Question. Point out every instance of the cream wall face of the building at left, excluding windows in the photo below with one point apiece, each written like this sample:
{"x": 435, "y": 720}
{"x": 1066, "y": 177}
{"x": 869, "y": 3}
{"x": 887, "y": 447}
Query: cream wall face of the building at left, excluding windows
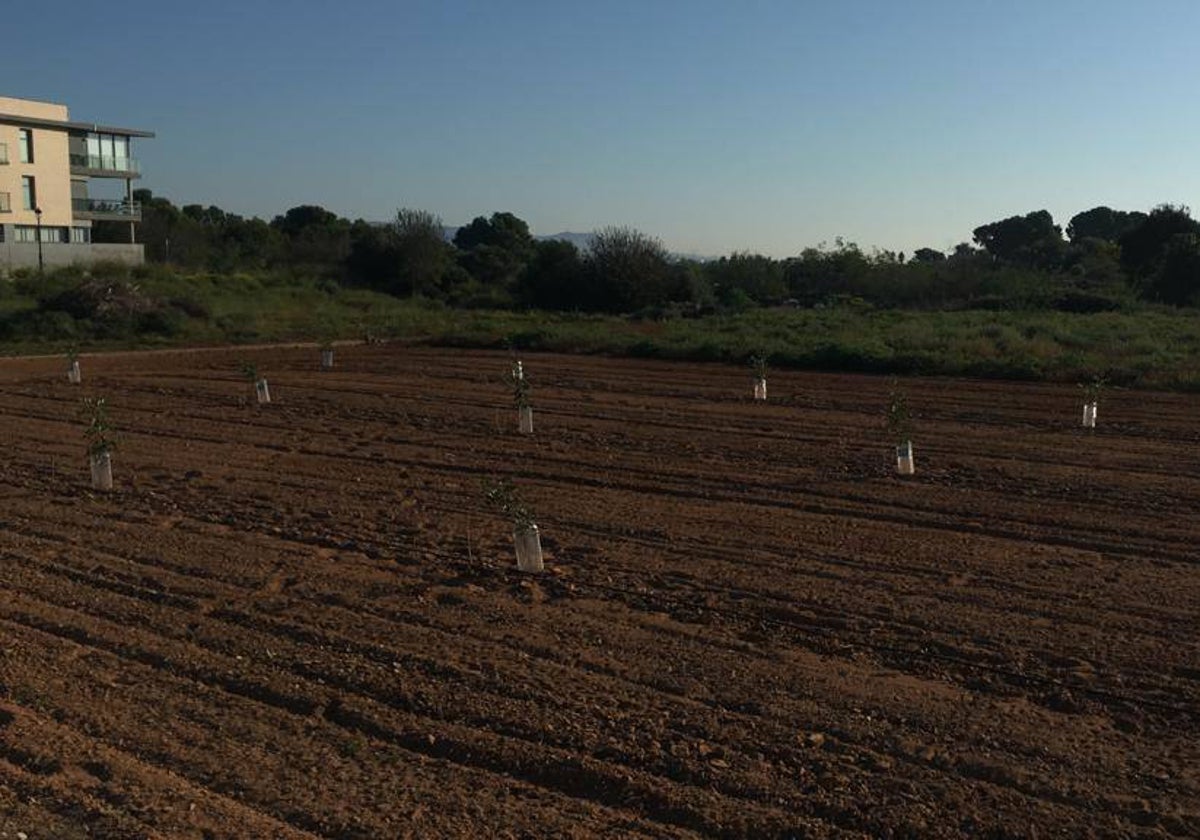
{"x": 51, "y": 167}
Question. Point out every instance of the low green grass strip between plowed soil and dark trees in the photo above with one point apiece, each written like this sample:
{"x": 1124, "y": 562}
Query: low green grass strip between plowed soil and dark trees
{"x": 115, "y": 308}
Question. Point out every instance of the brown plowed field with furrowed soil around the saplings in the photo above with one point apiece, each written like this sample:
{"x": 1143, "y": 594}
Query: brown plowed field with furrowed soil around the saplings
{"x": 301, "y": 620}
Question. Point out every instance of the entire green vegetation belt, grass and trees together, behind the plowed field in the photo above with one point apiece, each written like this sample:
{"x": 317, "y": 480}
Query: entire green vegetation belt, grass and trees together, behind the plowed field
{"x": 1120, "y": 293}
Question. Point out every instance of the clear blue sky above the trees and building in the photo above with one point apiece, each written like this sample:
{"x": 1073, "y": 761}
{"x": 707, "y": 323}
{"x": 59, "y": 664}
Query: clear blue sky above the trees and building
{"x": 716, "y": 127}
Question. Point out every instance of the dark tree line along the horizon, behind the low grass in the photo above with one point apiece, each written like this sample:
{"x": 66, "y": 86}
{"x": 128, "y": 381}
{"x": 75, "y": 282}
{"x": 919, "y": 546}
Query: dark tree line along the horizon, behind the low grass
{"x": 1106, "y": 260}
